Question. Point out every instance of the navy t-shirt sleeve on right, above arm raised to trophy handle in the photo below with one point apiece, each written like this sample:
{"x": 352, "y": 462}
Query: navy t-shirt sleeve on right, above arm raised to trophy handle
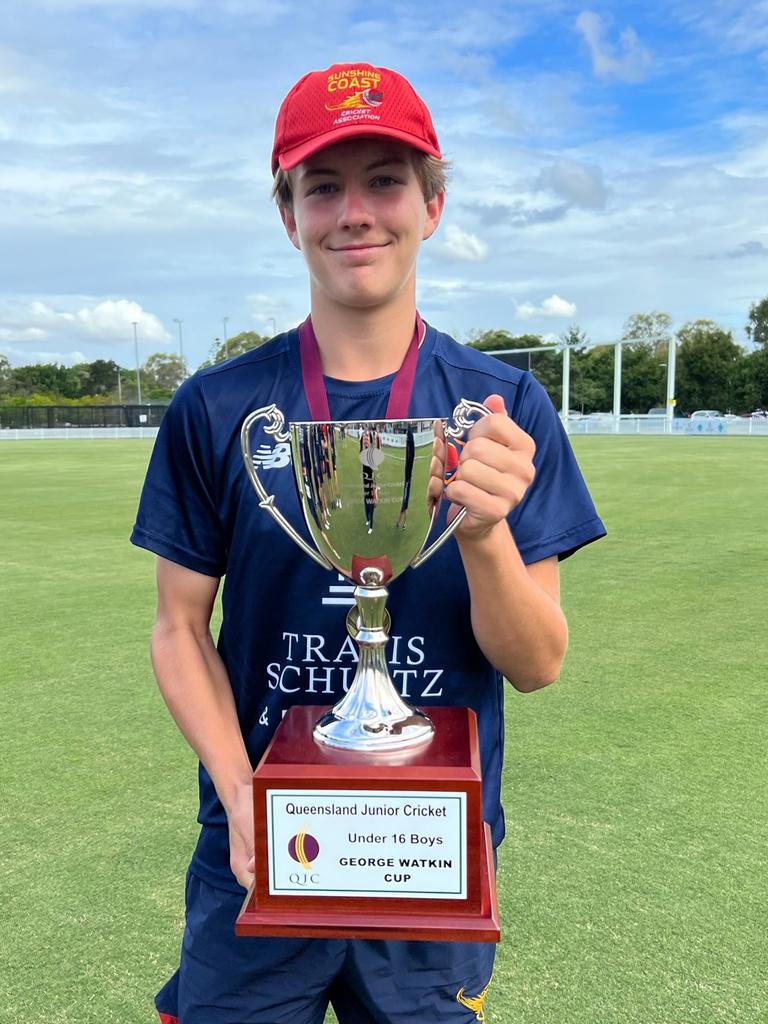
{"x": 558, "y": 516}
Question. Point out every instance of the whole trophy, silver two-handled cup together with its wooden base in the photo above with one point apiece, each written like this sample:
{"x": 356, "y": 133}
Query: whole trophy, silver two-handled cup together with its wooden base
{"x": 368, "y": 816}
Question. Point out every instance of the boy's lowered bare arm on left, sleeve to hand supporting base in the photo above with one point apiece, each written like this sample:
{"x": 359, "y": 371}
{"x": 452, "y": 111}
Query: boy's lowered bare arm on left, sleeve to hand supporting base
{"x": 196, "y": 688}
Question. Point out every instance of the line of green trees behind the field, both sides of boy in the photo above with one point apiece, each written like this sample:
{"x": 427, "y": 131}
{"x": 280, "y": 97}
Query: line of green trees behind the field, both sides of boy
{"x": 713, "y": 370}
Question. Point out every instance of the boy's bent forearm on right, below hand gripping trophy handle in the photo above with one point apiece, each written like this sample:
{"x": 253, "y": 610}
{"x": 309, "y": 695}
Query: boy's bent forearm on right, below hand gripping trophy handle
{"x": 519, "y": 626}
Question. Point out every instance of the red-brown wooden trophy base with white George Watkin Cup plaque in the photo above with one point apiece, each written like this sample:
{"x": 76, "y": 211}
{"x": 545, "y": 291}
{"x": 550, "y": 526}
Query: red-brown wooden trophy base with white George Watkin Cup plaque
{"x": 379, "y": 846}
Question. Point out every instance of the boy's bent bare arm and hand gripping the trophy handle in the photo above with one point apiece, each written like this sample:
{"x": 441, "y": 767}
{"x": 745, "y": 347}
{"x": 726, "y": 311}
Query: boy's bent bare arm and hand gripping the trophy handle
{"x": 517, "y": 616}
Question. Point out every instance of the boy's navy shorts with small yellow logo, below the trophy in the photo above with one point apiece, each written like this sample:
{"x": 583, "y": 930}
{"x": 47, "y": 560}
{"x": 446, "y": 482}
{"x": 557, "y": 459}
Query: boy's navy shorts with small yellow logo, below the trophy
{"x": 224, "y": 979}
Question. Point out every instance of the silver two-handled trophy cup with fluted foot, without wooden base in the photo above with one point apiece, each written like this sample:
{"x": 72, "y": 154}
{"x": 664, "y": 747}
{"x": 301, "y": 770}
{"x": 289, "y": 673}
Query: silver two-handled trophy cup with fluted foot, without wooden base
{"x": 364, "y": 489}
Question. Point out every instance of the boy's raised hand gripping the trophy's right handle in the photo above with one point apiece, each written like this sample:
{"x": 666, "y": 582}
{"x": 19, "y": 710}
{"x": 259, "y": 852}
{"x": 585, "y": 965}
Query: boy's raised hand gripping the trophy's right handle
{"x": 495, "y": 471}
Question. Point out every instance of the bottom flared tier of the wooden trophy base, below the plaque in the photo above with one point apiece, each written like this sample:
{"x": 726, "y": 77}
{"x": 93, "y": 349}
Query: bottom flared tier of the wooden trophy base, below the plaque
{"x": 322, "y": 922}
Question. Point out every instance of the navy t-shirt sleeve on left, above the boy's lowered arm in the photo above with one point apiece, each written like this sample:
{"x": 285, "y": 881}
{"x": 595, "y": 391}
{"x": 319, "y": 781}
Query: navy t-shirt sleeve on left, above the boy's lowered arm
{"x": 178, "y": 516}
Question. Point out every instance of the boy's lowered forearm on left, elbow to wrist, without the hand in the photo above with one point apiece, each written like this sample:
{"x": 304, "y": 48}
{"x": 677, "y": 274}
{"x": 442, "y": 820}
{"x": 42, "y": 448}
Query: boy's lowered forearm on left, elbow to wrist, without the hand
{"x": 196, "y": 688}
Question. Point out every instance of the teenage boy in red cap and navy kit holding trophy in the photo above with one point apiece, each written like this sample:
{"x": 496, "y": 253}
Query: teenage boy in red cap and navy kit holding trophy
{"x": 360, "y": 185}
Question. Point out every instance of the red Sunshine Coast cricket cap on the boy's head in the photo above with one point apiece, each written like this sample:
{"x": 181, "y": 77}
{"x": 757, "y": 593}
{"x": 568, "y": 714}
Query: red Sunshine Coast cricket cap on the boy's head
{"x": 350, "y": 101}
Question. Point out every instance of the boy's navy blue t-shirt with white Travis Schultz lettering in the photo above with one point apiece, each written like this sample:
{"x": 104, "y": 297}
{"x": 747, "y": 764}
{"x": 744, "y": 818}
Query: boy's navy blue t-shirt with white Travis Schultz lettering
{"x": 284, "y": 638}
